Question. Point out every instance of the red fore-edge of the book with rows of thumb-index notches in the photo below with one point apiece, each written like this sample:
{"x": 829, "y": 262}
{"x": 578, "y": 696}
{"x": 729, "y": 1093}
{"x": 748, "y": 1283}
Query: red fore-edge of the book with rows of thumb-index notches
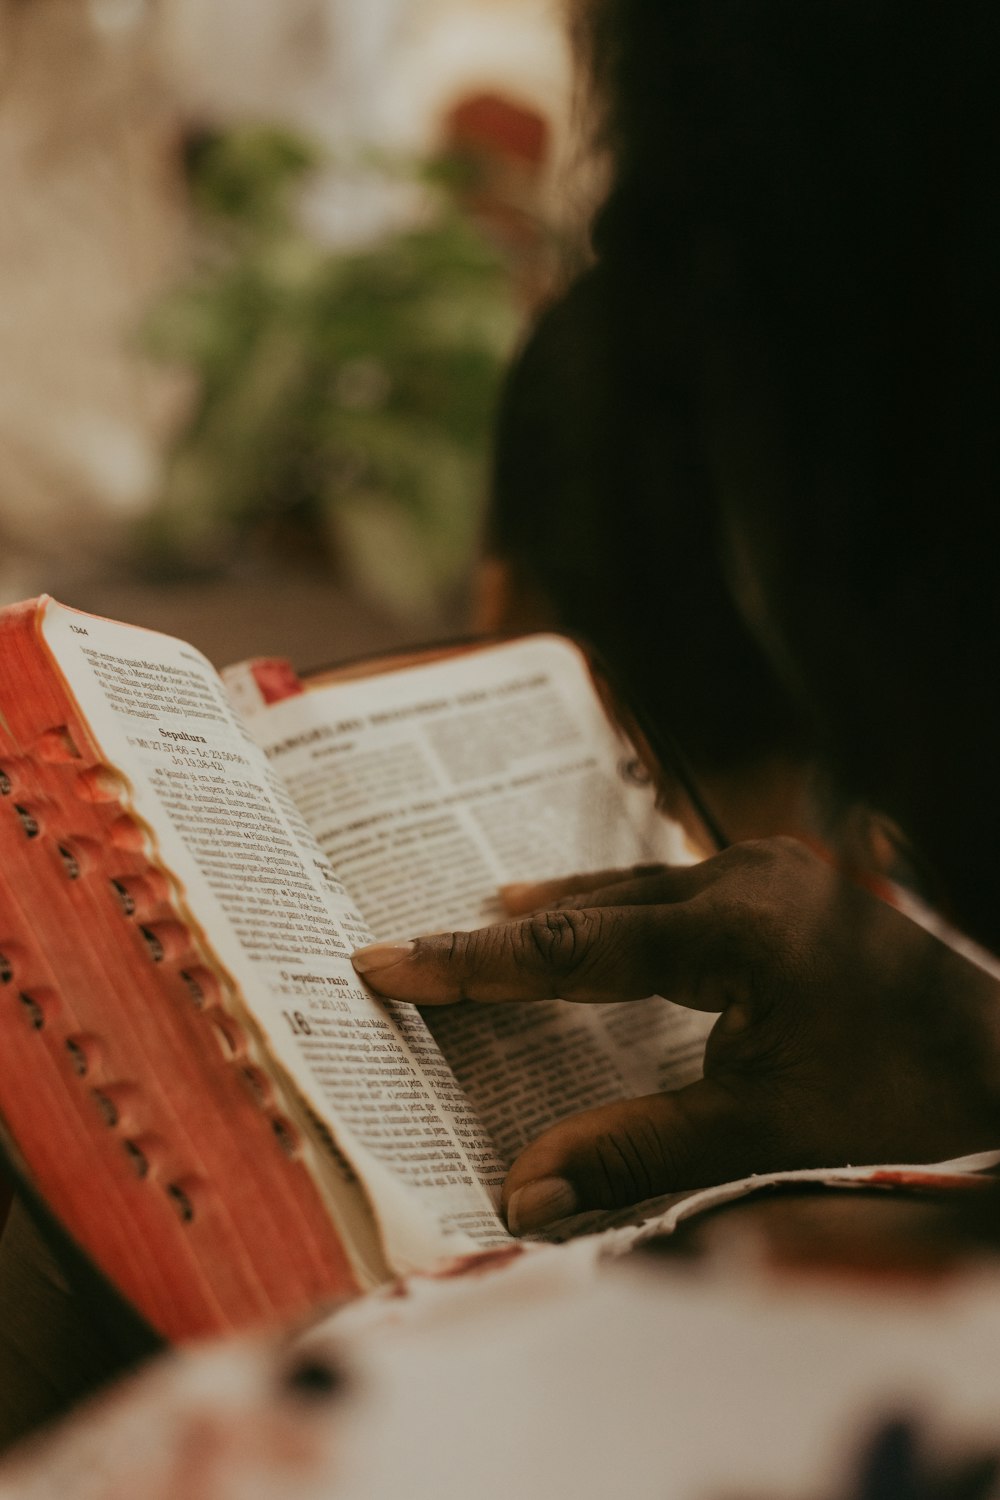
{"x": 127, "y": 1085}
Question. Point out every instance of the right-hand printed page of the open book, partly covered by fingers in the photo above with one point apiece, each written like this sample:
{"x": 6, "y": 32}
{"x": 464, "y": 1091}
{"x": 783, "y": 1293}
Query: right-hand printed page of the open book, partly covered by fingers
{"x": 431, "y": 787}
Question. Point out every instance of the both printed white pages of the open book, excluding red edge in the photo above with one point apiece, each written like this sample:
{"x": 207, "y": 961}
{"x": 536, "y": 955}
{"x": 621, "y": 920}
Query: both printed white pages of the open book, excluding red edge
{"x": 286, "y": 833}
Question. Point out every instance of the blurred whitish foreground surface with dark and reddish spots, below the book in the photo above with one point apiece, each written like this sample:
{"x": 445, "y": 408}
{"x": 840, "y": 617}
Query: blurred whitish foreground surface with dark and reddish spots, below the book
{"x": 747, "y": 1379}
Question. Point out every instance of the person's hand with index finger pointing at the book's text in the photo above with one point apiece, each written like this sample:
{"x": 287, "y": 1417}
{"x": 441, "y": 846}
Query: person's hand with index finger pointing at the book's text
{"x": 848, "y": 1034}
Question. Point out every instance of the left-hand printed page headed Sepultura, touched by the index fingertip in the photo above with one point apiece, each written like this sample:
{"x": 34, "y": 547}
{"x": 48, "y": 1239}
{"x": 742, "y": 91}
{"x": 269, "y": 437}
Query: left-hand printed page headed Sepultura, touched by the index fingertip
{"x": 274, "y": 916}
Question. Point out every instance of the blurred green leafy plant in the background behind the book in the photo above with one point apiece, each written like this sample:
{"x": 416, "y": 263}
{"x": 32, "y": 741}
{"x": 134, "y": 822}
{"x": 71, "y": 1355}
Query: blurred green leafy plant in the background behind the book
{"x": 344, "y": 398}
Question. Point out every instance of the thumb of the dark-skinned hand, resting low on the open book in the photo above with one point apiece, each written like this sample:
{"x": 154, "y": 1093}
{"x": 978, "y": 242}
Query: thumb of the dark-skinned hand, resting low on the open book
{"x": 638, "y": 1150}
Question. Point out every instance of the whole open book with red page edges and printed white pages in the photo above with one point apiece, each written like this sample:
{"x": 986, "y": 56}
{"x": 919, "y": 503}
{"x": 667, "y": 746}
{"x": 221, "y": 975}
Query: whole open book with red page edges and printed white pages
{"x": 193, "y": 1076}
